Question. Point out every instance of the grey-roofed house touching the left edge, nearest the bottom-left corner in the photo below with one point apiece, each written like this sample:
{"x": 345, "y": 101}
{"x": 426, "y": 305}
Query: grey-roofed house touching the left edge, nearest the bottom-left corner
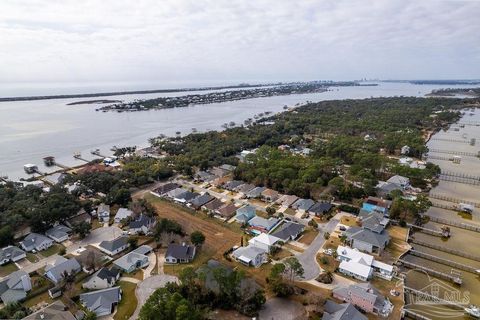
{"x": 15, "y": 286}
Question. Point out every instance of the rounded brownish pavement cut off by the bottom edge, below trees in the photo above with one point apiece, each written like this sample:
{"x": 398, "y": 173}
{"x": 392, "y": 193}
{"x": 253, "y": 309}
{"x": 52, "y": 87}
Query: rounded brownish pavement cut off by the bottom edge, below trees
{"x": 282, "y": 309}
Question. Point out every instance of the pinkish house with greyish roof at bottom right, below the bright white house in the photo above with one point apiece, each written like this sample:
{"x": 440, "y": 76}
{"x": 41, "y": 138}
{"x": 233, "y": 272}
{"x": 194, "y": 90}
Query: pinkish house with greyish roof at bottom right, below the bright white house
{"x": 365, "y": 297}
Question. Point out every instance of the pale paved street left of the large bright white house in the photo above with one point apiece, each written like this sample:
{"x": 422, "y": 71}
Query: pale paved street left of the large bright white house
{"x": 308, "y": 257}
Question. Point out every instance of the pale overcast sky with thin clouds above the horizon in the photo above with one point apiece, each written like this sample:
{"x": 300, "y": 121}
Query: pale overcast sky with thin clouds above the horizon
{"x": 229, "y": 40}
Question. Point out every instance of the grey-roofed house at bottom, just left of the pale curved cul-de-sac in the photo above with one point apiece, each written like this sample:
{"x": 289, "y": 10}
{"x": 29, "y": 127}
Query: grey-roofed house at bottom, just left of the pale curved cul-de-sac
{"x": 102, "y": 302}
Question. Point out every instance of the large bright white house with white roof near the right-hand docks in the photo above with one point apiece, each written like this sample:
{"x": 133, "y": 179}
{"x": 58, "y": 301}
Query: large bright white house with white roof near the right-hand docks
{"x": 361, "y": 265}
